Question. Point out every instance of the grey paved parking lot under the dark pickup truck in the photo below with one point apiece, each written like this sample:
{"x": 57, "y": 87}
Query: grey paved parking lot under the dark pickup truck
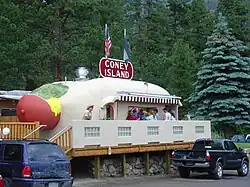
{"x": 230, "y": 180}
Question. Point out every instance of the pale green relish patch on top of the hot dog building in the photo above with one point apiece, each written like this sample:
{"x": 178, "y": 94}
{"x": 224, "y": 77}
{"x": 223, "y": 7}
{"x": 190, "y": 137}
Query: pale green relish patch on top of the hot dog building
{"x": 48, "y": 91}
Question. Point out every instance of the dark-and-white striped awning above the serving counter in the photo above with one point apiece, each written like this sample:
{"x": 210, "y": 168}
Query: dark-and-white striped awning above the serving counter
{"x": 149, "y": 98}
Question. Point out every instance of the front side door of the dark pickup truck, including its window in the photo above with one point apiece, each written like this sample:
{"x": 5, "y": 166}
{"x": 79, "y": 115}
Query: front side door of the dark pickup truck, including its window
{"x": 232, "y": 156}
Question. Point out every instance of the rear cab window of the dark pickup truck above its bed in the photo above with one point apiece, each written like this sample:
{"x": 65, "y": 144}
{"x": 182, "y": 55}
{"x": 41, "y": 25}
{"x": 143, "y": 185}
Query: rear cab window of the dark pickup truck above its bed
{"x": 208, "y": 144}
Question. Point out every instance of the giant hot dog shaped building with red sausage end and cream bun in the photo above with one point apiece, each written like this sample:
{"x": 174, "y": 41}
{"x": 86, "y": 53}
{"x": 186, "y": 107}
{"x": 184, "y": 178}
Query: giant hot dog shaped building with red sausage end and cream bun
{"x": 56, "y": 104}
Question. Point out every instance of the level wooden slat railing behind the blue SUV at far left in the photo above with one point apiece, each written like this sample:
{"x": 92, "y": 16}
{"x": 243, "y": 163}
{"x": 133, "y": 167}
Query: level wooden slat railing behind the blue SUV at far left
{"x": 19, "y": 130}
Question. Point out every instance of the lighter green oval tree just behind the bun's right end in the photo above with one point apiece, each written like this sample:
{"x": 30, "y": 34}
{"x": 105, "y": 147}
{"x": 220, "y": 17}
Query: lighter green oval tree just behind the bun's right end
{"x": 181, "y": 71}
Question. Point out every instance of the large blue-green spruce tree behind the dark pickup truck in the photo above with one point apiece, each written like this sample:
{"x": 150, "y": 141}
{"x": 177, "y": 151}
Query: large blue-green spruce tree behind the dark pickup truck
{"x": 222, "y": 87}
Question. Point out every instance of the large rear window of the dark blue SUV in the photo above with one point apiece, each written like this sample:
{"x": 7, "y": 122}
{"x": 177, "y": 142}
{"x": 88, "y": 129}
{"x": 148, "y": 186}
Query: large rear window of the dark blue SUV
{"x": 45, "y": 152}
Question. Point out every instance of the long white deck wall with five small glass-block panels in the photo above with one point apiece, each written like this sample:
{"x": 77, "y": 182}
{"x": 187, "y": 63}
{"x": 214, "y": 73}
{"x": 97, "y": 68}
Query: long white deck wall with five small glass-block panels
{"x": 113, "y": 133}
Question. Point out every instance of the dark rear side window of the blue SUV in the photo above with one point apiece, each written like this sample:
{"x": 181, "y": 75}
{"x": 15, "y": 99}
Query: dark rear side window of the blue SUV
{"x": 13, "y": 152}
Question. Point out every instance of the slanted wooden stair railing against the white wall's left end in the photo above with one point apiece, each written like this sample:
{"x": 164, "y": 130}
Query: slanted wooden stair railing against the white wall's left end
{"x": 63, "y": 139}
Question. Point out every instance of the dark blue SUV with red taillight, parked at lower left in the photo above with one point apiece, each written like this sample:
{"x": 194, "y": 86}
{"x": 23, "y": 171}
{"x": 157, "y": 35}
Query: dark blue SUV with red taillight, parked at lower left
{"x": 34, "y": 163}
